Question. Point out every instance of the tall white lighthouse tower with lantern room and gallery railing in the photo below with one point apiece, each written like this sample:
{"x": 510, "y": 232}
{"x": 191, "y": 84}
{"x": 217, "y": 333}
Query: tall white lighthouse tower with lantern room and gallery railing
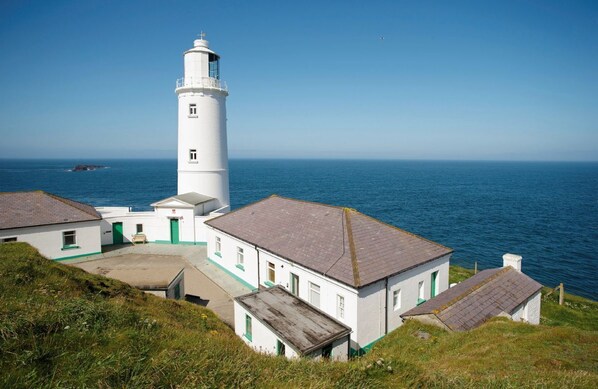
{"x": 202, "y": 148}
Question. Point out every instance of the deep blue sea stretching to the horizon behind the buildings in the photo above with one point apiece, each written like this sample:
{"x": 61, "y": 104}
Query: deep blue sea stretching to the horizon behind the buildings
{"x": 547, "y": 212}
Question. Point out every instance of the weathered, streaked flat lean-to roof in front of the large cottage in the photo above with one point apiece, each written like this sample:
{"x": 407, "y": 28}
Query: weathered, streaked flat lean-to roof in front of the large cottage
{"x": 303, "y": 326}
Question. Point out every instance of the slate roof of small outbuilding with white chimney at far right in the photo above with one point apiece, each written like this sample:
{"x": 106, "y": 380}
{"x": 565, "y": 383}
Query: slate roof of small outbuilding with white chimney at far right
{"x": 479, "y": 298}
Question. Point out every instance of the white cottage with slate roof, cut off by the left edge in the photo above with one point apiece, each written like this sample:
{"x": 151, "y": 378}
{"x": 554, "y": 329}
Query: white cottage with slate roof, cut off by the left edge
{"x": 58, "y": 227}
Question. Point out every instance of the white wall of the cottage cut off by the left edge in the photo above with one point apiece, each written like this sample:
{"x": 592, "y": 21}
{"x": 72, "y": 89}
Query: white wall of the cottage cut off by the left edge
{"x": 49, "y": 241}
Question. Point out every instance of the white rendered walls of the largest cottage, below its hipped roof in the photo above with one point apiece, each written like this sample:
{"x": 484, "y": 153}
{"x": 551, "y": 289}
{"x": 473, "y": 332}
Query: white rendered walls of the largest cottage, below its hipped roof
{"x": 368, "y": 311}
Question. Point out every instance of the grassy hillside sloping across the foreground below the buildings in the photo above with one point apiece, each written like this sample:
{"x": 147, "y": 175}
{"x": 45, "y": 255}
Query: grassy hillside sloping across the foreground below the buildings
{"x": 62, "y": 327}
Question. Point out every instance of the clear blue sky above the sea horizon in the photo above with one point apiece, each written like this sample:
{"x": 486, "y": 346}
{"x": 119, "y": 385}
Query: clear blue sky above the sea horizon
{"x": 449, "y": 80}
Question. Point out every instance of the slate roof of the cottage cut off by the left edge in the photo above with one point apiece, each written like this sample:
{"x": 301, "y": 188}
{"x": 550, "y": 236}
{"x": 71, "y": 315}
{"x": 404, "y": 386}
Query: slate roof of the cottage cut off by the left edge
{"x": 38, "y": 208}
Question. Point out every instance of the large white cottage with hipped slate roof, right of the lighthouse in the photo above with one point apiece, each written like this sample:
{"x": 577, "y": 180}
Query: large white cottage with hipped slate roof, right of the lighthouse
{"x": 362, "y": 272}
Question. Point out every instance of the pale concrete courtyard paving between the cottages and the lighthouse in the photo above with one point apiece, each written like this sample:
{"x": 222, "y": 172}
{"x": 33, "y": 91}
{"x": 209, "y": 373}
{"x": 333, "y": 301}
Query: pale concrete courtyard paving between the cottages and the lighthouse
{"x": 206, "y": 281}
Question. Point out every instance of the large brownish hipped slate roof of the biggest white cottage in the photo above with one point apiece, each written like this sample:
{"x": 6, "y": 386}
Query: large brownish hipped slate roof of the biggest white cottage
{"x": 340, "y": 243}
